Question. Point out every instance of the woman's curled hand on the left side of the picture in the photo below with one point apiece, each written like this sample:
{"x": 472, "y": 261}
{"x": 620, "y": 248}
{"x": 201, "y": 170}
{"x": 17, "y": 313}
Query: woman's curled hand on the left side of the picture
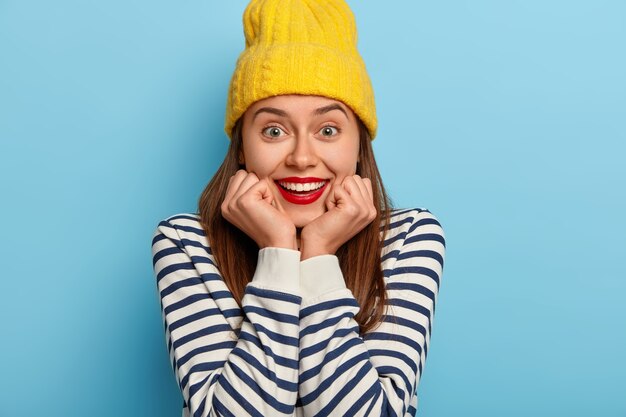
{"x": 249, "y": 205}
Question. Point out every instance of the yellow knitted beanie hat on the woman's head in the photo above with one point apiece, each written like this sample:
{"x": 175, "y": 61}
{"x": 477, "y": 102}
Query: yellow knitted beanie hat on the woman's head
{"x": 300, "y": 47}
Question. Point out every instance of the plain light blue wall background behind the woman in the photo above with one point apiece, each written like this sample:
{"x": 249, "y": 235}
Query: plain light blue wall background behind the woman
{"x": 506, "y": 119}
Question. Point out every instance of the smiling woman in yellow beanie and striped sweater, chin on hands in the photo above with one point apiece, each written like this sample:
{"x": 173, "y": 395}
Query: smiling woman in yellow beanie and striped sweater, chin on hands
{"x": 295, "y": 289}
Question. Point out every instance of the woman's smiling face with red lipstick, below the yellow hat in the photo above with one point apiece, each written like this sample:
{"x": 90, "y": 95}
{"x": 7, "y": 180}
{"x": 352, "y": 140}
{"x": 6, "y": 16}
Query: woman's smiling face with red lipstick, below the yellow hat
{"x": 303, "y": 145}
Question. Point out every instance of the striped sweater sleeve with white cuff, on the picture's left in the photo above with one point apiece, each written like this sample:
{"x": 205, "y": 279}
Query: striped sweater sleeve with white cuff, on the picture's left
{"x": 223, "y": 370}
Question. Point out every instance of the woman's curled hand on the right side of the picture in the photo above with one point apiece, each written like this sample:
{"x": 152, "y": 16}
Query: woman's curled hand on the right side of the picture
{"x": 350, "y": 208}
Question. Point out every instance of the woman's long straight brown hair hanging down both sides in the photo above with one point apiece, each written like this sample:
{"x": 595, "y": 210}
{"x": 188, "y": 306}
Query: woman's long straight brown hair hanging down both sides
{"x": 360, "y": 257}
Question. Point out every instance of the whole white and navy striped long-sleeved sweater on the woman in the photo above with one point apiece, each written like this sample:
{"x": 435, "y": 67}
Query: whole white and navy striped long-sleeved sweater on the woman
{"x": 293, "y": 348}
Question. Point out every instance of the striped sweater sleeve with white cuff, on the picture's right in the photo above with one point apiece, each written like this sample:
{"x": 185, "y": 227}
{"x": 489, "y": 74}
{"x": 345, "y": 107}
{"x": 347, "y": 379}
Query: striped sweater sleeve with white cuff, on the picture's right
{"x": 345, "y": 374}
